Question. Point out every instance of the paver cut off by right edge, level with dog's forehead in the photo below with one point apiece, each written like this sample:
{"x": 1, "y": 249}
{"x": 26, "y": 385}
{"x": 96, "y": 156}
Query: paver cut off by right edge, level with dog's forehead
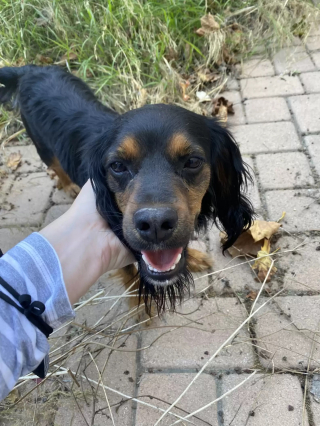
{"x": 306, "y": 111}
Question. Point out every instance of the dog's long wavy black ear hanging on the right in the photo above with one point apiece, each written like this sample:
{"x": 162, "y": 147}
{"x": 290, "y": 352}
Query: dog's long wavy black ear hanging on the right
{"x": 225, "y": 201}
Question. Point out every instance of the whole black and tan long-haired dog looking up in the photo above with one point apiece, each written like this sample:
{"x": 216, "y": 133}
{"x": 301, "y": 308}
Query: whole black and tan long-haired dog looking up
{"x": 160, "y": 172}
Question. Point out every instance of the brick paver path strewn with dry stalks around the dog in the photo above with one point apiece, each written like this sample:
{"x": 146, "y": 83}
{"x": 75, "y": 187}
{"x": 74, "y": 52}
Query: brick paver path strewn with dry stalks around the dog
{"x": 277, "y": 126}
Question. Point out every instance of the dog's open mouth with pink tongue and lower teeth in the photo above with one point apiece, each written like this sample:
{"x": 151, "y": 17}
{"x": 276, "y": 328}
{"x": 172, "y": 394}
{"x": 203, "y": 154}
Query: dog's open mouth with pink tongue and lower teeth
{"x": 163, "y": 264}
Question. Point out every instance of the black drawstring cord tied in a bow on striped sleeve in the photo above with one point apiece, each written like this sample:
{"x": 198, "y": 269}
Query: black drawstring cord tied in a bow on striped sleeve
{"x": 32, "y": 310}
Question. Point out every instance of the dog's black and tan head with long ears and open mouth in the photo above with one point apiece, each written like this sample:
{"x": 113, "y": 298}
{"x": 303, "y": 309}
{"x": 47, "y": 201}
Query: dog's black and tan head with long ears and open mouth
{"x": 160, "y": 174}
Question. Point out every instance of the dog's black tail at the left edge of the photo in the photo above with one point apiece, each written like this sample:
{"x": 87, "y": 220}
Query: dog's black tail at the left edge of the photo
{"x": 9, "y": 78}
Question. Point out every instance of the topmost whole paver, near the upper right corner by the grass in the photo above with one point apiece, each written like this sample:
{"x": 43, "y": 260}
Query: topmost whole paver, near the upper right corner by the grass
{"x": 293, "y": 59}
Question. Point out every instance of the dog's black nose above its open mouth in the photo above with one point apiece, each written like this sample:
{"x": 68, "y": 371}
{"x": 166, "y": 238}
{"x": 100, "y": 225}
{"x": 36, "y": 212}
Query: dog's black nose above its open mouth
{"x": 155, "y": 225}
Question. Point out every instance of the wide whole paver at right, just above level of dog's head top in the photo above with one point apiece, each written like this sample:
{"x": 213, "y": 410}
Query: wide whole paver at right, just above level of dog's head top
{"x": 271, "y": 86}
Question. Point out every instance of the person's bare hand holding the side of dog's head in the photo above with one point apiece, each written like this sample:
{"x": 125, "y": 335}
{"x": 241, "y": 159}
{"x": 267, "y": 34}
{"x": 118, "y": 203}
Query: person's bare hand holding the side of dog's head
{"x": 85, "y": 245}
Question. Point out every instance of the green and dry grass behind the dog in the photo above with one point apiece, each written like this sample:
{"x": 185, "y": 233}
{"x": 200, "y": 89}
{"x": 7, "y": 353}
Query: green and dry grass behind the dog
{"x": 137, "y": 51}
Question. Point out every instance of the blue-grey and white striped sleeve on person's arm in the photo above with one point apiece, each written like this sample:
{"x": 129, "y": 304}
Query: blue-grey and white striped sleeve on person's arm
{"x": 31, "y": 267}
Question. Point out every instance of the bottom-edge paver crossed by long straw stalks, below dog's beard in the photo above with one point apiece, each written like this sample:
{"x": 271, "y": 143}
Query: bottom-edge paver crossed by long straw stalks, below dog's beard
{"x": 167, "y": 387}
